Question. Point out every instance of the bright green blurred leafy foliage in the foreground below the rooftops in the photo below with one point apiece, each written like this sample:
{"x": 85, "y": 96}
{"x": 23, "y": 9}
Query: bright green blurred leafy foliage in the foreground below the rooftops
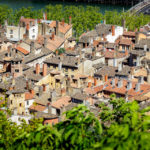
{"x": 124, "y": 126}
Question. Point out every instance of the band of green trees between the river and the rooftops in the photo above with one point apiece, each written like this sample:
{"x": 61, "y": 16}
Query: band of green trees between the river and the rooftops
{"x": 83, "y": 18}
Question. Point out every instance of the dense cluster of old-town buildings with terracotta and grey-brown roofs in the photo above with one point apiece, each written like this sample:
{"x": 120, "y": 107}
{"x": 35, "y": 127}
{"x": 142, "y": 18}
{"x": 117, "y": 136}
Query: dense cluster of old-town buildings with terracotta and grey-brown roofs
{"x": 45, "y": 71}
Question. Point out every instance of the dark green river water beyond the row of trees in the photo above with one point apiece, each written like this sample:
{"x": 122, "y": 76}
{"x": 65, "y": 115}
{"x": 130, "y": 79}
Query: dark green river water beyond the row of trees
{"x": 38, "y": 4}
